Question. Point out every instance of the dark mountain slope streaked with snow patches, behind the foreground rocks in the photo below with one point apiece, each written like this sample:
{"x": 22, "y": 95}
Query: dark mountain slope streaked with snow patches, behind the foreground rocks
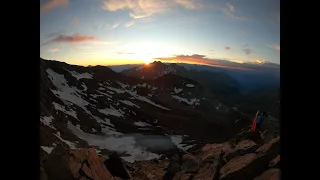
{"x": 139, "y": 118}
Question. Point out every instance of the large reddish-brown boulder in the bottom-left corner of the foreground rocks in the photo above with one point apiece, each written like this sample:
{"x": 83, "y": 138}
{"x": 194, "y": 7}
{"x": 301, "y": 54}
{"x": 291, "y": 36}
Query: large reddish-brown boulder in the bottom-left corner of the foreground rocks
{"x": 75, "y": 164}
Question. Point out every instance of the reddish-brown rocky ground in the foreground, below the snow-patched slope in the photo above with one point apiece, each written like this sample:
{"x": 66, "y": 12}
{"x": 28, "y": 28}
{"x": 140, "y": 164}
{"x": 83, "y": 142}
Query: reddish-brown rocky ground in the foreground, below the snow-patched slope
{"x": 249, "y": 158}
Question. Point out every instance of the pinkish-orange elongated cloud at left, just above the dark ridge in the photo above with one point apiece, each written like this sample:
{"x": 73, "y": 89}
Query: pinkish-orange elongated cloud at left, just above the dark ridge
{"x": 76, "y": 38}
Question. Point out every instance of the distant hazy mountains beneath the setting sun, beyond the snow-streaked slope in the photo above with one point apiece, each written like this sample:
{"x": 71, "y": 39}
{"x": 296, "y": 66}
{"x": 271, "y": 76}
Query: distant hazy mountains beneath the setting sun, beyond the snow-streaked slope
{"x": 246, "y": 90}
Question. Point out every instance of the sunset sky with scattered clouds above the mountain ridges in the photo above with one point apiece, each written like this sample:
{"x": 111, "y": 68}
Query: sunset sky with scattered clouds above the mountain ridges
{"x": 105, "y": 32}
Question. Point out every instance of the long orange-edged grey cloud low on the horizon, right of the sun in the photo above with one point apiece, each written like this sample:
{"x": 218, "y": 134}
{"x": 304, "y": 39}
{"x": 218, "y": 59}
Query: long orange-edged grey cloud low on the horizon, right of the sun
{"x": 255, "y": 65}
